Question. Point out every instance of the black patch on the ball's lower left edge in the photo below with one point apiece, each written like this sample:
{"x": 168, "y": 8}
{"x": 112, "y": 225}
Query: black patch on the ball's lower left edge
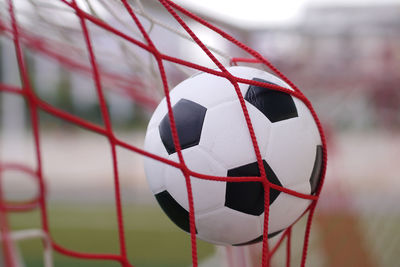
{"x": 174, "y": 211}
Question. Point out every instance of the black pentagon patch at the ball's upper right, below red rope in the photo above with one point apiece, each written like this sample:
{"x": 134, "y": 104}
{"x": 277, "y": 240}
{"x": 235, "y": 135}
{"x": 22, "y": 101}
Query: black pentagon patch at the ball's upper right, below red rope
{"x": 275, "y": 105}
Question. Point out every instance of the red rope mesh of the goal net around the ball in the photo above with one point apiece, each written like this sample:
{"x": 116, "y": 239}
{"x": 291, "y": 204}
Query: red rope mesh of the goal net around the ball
{"x": 20, "y": 38}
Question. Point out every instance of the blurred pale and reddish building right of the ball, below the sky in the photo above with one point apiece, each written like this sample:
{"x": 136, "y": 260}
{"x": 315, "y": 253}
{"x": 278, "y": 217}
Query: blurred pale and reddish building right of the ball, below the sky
{"x": 346, "y": 56}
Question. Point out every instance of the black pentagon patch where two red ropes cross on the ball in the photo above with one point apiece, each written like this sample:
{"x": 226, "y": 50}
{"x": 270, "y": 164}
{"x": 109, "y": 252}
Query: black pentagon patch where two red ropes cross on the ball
{"x": 248, "y": 197}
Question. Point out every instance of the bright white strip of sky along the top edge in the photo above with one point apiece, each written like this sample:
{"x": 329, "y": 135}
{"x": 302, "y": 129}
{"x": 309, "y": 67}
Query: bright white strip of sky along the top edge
{"x": 265, "y": 12}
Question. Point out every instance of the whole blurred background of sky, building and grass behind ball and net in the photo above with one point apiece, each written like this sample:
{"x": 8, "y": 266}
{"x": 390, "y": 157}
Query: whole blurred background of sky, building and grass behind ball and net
{"x": 343, "y": 55}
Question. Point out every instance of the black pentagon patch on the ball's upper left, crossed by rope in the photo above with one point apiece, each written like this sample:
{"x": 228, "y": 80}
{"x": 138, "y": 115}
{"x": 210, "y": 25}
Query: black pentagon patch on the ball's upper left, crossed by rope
{"x": 189, "y": 118}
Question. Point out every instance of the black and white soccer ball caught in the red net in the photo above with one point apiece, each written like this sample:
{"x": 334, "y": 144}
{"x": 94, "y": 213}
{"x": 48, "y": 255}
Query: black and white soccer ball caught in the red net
{"x": 215, "y": 140}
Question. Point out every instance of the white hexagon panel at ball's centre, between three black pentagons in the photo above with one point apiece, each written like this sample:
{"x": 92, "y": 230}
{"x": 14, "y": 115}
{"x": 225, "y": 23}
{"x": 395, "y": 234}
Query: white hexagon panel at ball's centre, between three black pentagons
{"x": 225, "y": 134}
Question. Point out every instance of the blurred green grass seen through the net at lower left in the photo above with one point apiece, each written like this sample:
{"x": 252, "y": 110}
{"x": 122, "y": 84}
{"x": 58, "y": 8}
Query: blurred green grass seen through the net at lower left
{"x": 152, "y": 240}
